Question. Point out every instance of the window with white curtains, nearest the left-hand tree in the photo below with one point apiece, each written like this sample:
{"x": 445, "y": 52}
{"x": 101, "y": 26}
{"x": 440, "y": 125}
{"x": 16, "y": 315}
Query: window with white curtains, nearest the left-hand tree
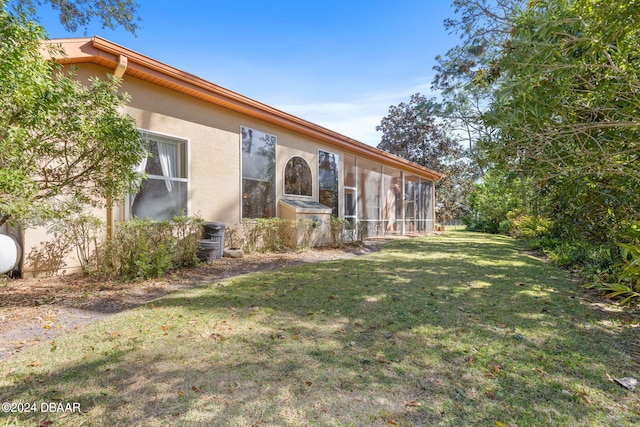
{"x": 163, "y": 194}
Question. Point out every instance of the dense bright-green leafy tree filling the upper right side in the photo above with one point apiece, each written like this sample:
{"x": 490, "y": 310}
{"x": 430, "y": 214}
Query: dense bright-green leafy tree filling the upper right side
{"x": 566, "y": 109}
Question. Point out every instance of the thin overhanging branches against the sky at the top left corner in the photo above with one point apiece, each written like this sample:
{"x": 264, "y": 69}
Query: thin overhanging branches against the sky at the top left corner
{"x": 79, "y": 13}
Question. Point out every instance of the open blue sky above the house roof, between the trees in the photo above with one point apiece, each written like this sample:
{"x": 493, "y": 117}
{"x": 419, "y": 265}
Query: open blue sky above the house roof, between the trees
{"x": 337, "y": 63}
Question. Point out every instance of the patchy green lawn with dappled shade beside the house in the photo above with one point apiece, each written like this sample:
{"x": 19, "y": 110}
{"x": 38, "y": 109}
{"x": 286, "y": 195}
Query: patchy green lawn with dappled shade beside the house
{"x": 459, "y": 329}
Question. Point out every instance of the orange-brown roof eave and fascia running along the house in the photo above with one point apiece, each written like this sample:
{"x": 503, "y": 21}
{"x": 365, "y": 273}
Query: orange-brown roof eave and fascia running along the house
{"x": 124, "y": 61}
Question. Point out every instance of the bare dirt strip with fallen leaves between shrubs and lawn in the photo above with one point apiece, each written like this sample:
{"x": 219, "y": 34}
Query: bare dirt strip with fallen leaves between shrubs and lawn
{"x": 39, "y": 309}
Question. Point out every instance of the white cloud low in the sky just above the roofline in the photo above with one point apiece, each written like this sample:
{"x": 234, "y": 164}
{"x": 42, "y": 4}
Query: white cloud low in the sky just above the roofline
{"x": 356, "y": 119}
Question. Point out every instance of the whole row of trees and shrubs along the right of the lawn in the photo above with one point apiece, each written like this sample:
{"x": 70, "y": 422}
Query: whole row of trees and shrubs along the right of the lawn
{"x": 540, "y": 104}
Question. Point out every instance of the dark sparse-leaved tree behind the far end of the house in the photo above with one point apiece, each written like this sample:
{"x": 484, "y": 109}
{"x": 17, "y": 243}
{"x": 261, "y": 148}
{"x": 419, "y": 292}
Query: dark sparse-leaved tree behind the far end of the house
{"x": 411, "y": 131}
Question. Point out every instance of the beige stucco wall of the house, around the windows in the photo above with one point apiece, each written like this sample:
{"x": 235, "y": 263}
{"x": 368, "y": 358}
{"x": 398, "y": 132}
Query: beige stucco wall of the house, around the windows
{"x": 214, "y": 169}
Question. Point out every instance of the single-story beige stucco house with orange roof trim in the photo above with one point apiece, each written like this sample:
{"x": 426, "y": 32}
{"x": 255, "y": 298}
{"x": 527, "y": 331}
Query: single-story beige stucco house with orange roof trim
{"x": 229, "y": 158}
